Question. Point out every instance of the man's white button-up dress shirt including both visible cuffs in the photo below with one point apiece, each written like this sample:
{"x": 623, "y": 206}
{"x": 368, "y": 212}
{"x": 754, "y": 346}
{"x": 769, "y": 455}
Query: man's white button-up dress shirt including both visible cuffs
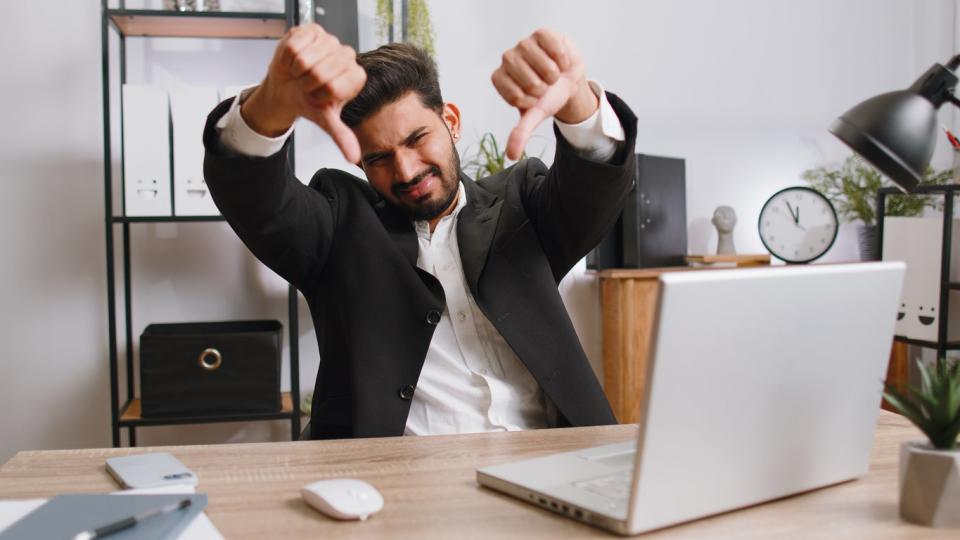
{"x": 471, "y": 380}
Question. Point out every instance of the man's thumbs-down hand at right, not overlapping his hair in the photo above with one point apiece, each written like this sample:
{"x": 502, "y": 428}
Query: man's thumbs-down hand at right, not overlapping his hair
{"x": 543, "y": 76}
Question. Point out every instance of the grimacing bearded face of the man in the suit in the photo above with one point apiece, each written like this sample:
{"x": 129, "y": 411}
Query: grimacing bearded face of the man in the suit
{"x": 408, "y": 155}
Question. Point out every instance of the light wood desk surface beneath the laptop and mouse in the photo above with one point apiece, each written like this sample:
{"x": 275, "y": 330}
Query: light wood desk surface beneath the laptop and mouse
{"x": 430, "y": 488}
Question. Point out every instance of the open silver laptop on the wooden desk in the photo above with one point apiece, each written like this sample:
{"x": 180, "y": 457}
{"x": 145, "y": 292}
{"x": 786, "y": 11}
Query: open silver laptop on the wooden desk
{"x": 762, "y": 383}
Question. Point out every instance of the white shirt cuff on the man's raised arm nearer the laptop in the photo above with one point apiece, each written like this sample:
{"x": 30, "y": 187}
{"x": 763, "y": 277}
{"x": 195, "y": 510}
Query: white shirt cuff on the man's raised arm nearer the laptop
{"x": 596, "y": 137}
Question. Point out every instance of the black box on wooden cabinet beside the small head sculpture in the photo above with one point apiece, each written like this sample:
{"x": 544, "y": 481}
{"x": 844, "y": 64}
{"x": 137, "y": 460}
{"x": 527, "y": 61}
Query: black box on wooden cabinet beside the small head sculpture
{"x": 652, "y": 229}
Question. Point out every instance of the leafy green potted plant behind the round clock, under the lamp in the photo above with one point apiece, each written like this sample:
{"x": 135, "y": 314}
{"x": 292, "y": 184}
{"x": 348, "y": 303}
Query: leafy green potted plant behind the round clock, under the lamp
{"x": 852, "y": 188}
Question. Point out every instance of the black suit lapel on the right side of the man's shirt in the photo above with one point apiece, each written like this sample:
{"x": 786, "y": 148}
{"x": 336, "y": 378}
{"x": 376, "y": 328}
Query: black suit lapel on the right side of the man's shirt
{"x": 476, "y": 226}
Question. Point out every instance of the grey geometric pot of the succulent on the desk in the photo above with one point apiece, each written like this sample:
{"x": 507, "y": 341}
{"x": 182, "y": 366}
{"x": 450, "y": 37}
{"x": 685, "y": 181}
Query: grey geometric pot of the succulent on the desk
{"x": 929, "y": 485}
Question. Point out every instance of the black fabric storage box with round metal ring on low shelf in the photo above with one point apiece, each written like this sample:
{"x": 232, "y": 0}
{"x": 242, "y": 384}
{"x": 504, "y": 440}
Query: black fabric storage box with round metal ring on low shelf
{"x": 214, "y": 367}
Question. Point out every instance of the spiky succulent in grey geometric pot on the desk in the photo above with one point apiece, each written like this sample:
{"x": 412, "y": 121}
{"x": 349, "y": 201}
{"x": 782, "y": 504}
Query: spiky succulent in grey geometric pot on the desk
{"x": 930, "y": 470}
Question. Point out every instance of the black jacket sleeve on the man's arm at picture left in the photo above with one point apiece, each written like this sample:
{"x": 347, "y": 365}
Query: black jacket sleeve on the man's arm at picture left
{"x": 288, "y": 226}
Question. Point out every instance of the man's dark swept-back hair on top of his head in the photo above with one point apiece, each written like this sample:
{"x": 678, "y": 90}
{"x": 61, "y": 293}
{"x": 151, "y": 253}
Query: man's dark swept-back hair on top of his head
{"x": 394, "y": 70}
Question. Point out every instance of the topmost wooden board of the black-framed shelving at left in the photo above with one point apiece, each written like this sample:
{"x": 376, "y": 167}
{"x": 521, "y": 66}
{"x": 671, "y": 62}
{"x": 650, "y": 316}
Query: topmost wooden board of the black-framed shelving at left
{"x": 202, "y": 24}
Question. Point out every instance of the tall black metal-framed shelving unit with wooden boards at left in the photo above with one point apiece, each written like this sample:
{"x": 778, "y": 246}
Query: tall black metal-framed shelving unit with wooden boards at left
{"x": 146, "y": 23}
